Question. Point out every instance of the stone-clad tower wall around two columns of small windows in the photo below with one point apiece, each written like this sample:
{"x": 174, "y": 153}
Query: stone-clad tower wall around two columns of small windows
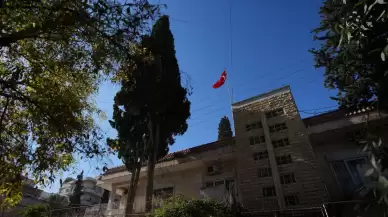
{"x": 309, "y": 187}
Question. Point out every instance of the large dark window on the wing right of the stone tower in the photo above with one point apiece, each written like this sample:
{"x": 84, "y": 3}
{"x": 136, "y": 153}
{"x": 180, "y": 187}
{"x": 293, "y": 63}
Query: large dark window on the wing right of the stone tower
{"x": 349, "y": 175}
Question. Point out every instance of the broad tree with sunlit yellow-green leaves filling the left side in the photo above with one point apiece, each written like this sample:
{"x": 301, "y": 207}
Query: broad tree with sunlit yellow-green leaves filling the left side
{"x": 53, "y": 56}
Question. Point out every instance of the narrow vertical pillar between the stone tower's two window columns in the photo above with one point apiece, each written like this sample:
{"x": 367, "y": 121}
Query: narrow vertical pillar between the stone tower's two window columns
{"x": 273, "y": 163}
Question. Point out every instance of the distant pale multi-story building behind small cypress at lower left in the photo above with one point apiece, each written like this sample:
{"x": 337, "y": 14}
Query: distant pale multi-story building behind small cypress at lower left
{"x": 92, "y": 193}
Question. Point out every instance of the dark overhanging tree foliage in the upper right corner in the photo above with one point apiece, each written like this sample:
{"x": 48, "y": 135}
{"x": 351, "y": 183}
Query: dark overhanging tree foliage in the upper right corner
{"x": 354, "y": 50}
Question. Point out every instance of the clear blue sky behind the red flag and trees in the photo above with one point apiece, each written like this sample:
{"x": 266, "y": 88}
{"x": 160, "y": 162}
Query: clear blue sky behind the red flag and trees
{"x": 270, "y": 43}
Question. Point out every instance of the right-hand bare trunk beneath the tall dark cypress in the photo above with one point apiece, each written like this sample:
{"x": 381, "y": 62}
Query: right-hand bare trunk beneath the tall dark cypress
{"x": 151, "y": 169}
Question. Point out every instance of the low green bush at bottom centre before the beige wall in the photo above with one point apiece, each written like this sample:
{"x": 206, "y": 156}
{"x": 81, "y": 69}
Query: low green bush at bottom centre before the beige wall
{"x": 180, "y": 207}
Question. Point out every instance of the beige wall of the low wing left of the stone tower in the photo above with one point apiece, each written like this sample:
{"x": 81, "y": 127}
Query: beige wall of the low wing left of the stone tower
{"x": 188, "y": 178}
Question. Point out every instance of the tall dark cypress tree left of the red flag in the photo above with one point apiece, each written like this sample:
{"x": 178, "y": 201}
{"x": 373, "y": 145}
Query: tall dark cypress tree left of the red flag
{"x": 153, "y": 91}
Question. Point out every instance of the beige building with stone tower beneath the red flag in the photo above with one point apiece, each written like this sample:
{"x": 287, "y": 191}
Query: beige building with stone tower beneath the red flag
{"x": 276, "y": 161}
